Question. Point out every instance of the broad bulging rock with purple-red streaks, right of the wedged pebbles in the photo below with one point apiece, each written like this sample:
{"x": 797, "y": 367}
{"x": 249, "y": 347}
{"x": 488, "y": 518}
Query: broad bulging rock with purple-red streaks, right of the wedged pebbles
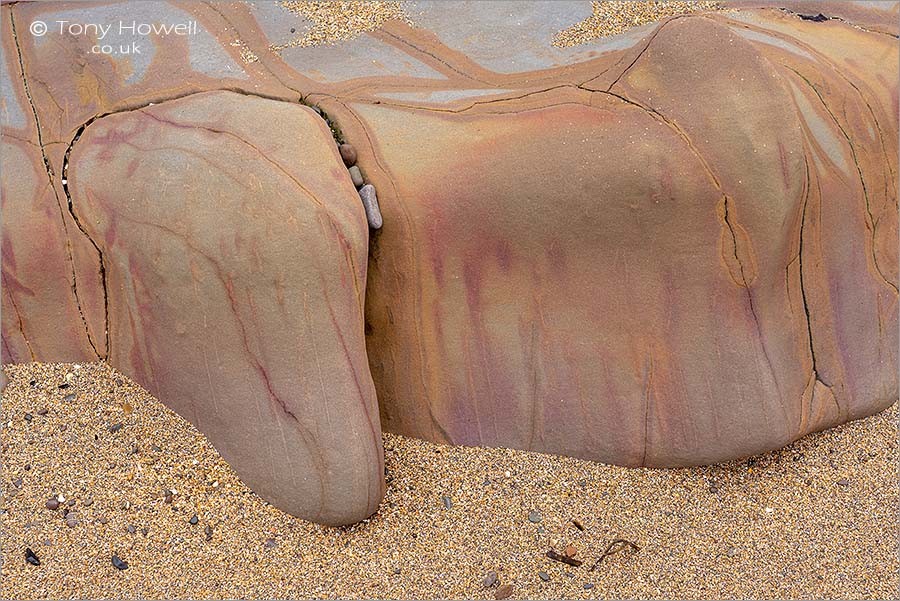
{"x": 655, "y": 268}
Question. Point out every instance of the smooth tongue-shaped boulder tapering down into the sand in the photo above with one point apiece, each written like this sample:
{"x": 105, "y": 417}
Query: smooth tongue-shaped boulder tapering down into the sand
{"x": 235, "y": 251}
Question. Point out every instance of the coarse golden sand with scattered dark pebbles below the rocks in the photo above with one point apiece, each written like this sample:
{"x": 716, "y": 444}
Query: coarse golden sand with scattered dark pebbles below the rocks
{"x": 132, "y": 479}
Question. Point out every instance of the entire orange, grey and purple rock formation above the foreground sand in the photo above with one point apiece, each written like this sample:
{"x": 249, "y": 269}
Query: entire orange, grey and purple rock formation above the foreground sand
{"x": 673, "y": 246}
